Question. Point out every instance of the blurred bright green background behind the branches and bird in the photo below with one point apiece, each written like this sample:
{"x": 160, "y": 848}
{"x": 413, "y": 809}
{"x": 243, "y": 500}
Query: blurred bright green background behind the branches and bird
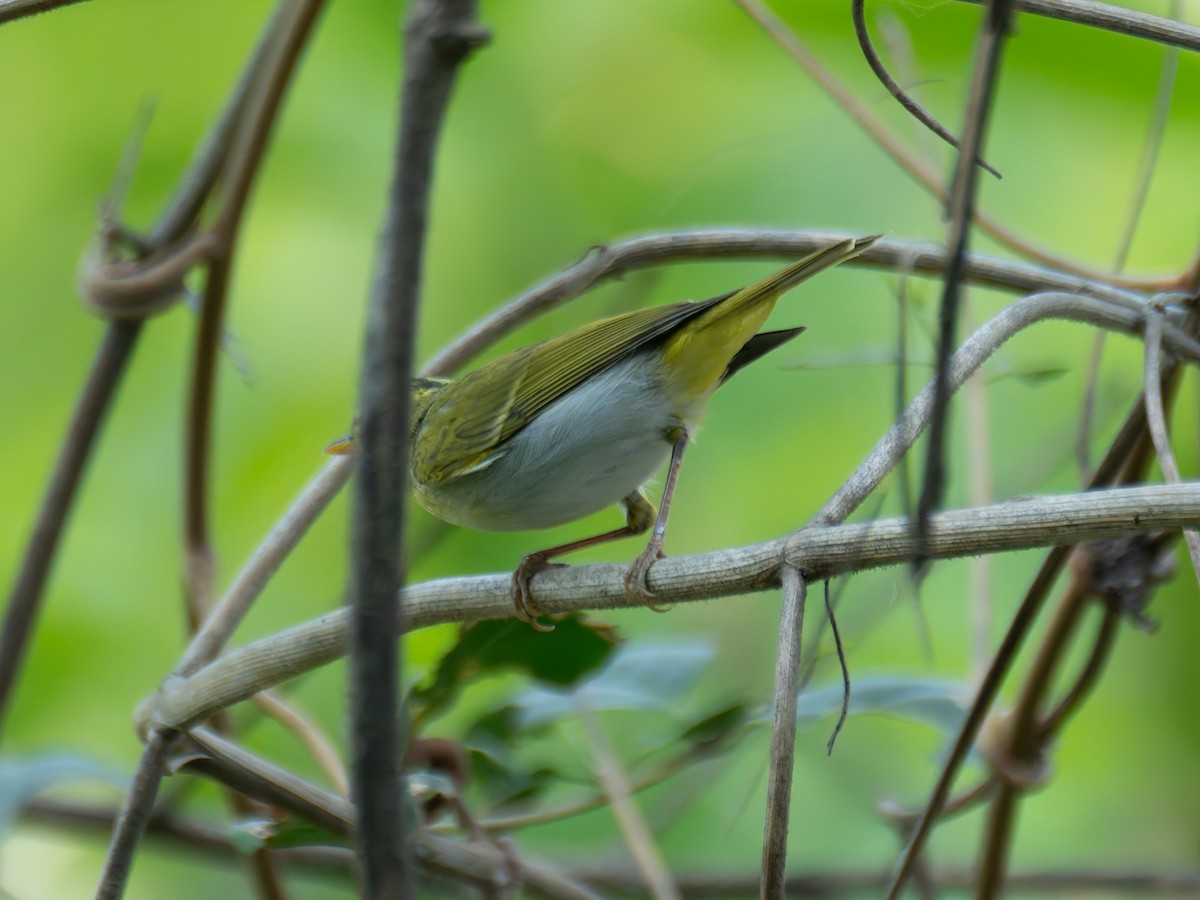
{"x": 583, "y": 123}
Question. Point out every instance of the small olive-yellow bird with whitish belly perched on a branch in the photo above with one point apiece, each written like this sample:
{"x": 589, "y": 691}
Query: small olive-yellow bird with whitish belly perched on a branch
{"x": 565, "y": 428}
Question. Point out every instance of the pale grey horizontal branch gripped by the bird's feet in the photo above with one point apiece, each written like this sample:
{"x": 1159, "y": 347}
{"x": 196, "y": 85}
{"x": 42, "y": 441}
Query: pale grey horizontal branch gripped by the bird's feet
{"x": 821, "y": 553}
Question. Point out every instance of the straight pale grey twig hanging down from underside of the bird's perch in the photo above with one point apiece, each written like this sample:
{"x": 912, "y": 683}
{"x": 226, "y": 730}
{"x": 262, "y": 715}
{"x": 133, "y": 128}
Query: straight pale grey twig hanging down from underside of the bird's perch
{"x": 783, "y": 734}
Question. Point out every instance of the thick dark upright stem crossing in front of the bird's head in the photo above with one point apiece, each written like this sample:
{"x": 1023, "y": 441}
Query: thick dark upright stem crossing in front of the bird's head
{"x": 440, "y": 35}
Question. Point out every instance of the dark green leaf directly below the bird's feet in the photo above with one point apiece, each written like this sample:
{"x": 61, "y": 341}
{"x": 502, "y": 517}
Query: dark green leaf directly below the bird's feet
{"x": 574, "y": 650}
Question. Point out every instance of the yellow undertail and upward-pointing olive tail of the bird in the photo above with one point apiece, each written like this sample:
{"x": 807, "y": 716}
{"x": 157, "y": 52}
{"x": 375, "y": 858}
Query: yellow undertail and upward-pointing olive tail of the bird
{"x": 698, "y": 355}
